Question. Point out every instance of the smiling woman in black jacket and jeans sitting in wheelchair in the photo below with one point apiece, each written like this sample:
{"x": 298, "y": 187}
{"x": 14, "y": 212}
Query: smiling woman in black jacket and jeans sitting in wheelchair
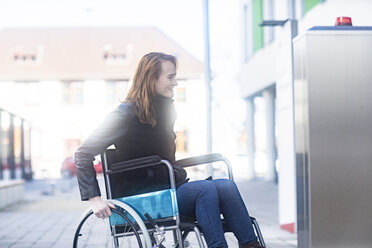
{"x": 143, "y": 126}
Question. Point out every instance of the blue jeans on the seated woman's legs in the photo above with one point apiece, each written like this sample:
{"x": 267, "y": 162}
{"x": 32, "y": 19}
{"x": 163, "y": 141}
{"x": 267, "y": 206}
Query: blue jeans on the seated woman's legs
{"x": 206, "y": 200}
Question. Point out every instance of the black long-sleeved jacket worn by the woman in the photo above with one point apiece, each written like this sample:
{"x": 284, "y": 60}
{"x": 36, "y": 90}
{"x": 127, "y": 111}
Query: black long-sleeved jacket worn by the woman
{"x": 132, "y": 139}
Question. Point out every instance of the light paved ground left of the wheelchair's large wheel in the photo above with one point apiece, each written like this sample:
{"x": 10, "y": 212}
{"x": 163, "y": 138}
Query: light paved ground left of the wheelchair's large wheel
{"x": 47, "y": 217}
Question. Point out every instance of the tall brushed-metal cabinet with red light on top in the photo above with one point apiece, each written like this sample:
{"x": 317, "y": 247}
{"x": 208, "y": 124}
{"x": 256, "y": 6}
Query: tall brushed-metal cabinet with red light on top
{"x": 333, "y": 136}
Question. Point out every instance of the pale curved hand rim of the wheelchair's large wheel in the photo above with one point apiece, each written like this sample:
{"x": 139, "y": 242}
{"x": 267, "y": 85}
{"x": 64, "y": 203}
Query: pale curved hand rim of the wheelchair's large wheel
{"x": 139, "y": 222}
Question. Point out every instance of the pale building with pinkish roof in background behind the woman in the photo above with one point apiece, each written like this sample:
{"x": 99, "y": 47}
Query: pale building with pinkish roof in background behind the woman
{"x": 65, "y": 80}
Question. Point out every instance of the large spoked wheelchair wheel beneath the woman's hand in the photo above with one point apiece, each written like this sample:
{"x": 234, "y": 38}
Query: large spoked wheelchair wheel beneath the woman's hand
{"x": 96, "y": 232}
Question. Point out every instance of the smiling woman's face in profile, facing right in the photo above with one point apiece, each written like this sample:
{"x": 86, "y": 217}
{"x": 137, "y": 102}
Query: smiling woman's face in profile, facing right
{"x": 167, "y": 79}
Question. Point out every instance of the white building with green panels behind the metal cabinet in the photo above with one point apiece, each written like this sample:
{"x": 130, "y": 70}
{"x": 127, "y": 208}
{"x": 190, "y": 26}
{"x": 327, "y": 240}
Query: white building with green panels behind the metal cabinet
{"x": 266, "y": 80}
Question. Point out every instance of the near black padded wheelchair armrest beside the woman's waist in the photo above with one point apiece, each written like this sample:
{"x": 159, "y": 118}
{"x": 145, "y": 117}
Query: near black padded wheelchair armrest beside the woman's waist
{"x": 134, "y": 164}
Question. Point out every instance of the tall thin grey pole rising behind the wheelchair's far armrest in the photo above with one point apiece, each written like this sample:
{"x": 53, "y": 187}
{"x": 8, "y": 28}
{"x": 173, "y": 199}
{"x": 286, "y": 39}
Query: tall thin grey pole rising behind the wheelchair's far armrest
{"x": 208, "y": 82}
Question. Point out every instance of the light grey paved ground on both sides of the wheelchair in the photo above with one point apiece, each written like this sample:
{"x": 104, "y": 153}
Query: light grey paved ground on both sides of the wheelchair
{"x": 51, "y": 210}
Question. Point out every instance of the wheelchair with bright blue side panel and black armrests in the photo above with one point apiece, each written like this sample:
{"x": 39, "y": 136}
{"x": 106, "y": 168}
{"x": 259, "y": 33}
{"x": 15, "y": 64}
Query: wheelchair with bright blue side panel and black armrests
{"x": 145, "y": 219}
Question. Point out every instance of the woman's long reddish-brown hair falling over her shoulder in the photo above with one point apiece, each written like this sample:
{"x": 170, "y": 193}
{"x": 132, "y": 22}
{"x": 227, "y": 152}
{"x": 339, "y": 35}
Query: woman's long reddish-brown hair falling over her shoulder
{"x": 142, "y": 92}
